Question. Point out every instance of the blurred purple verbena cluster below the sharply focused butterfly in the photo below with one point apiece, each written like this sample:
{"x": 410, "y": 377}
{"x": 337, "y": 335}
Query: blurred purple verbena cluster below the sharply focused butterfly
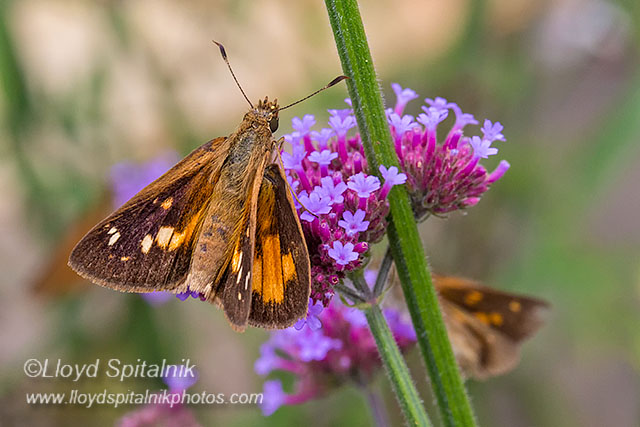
{"x": 342, "y": 350}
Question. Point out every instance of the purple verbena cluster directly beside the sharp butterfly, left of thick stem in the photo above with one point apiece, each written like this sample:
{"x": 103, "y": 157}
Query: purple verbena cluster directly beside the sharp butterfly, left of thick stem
{"x": 342, "y": 207}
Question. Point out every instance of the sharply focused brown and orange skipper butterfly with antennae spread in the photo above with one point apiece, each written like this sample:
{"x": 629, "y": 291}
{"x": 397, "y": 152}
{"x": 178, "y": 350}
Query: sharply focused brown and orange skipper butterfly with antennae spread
{"x": 221, "y": 222}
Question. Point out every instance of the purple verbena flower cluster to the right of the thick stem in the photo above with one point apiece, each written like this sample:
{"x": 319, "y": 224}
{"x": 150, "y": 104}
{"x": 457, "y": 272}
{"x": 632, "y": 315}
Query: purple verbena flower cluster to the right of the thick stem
{"x": 442, "y": 176}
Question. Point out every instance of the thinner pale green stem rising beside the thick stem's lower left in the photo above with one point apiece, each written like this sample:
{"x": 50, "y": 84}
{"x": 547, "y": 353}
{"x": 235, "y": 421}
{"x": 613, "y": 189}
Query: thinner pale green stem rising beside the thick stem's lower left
{"x": 393, "y": 362}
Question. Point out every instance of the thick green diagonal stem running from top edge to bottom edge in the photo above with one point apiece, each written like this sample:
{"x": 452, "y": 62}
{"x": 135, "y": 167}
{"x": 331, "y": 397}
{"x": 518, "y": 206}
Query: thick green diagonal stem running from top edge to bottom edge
{"x": 404, "y": 238}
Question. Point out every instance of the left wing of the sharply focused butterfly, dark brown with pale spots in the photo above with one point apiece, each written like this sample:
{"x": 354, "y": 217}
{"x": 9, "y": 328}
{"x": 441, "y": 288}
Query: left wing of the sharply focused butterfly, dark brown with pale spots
{"x": 146, "y": 245}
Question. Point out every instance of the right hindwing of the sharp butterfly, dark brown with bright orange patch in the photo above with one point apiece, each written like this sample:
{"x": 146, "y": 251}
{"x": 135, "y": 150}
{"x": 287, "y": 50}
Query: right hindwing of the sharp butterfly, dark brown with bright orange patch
{"x": 281, "y": 271}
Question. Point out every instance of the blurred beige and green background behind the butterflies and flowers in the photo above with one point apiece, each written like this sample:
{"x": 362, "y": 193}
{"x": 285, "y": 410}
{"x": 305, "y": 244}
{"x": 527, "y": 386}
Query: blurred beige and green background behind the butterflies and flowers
{"x": 85, "y": 85}
